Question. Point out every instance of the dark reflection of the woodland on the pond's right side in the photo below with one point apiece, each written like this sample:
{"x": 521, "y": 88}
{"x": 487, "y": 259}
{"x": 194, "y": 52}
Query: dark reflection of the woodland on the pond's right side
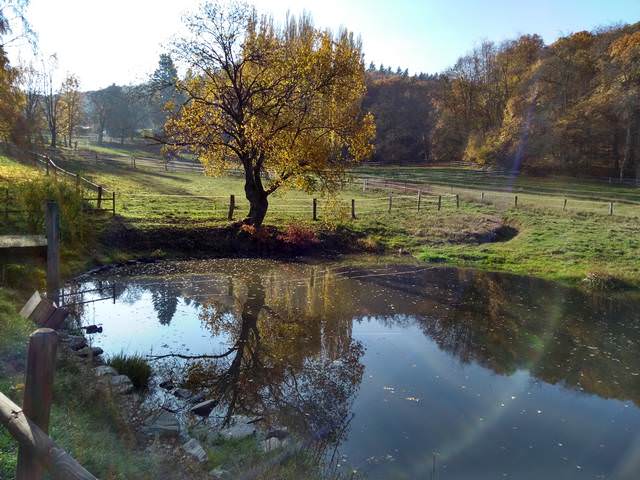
{"x": 560, "y": 335}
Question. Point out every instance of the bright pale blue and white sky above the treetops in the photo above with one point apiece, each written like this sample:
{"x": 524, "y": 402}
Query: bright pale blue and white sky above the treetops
{"x": 119, "y": 41}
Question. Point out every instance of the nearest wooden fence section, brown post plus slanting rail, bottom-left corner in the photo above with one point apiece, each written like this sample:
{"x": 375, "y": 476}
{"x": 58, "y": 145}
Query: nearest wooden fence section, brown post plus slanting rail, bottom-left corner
{"x": 29, "y": 425}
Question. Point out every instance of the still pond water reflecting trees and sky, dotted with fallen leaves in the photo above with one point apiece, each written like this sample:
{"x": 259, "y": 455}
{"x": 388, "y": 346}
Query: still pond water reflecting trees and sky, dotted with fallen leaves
{"x": 401, "y": 371}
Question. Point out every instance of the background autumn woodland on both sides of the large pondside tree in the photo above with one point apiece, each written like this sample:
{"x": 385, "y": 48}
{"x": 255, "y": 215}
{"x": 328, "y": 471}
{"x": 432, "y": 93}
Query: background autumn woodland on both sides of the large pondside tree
{"x": 570, "y": 107}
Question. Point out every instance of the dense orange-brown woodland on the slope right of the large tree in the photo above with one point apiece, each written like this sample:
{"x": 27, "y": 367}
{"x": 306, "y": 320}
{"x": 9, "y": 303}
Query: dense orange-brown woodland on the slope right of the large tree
{"x": 571, "y": 107}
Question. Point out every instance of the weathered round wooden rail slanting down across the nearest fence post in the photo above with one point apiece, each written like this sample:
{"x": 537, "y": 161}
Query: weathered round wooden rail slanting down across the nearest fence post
{"x": 30, "y": 436}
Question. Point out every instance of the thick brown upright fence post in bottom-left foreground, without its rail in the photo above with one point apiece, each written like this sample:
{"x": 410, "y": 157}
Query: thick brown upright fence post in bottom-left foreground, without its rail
{"x": 38, "y": 393}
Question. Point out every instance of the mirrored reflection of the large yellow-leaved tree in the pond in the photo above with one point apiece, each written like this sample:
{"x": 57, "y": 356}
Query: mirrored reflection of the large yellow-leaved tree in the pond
{"x": 277, "y": 366}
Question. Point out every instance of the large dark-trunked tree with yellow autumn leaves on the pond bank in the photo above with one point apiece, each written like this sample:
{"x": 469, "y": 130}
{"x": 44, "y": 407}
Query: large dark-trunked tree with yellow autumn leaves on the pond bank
{"x": 281, "y": 102}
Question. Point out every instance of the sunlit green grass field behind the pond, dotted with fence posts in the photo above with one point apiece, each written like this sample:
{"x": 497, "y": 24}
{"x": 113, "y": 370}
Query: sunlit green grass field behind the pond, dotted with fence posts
{"x": 551, "y": 243}
